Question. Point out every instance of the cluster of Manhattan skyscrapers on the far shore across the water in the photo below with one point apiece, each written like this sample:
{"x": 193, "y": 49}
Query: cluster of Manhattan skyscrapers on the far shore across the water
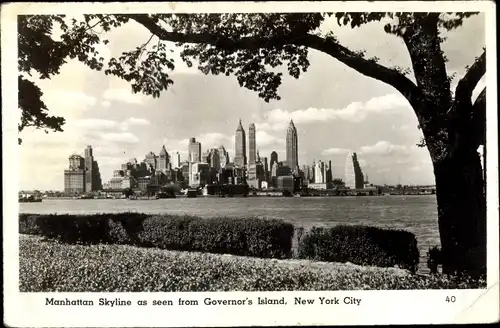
{"x": 214, "y": 167}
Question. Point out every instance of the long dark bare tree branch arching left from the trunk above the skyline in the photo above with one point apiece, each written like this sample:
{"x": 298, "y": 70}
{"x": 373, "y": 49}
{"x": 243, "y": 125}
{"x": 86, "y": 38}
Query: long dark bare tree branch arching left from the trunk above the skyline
{"x": 329, "y": 46}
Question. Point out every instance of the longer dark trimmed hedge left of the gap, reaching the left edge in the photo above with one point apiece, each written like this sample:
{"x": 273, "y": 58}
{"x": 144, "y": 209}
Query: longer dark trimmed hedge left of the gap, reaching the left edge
{"x": 248, "y": 236}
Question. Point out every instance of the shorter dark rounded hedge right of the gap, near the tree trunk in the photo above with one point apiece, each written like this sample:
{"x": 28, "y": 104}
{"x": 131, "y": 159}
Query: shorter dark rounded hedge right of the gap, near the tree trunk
{"x": 361, "y": 245}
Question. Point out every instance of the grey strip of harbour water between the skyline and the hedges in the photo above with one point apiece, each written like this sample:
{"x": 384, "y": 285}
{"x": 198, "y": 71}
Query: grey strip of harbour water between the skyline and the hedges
{"x": 417, "y": 214}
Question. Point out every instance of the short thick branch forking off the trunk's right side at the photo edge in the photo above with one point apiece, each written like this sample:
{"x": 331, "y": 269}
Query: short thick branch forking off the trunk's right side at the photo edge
{"x": 463, "y": 92}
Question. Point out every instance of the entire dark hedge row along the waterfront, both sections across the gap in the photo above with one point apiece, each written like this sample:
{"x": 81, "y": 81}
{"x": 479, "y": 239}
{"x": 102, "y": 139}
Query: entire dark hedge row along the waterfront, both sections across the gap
{"x": 250, "y": 237}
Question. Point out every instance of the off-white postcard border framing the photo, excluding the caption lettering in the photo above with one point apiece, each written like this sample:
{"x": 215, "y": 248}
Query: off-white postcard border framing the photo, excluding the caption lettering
{"x": 379, "y": 307}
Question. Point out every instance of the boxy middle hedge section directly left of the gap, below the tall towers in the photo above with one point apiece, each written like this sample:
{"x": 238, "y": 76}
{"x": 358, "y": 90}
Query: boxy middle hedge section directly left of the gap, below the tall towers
{"x": 248, "y": 236}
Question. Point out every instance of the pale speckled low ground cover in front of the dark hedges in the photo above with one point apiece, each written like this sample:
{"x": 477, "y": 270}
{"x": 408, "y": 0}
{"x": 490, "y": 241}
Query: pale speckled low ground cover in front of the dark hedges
{"x": 52, "y": 267}
